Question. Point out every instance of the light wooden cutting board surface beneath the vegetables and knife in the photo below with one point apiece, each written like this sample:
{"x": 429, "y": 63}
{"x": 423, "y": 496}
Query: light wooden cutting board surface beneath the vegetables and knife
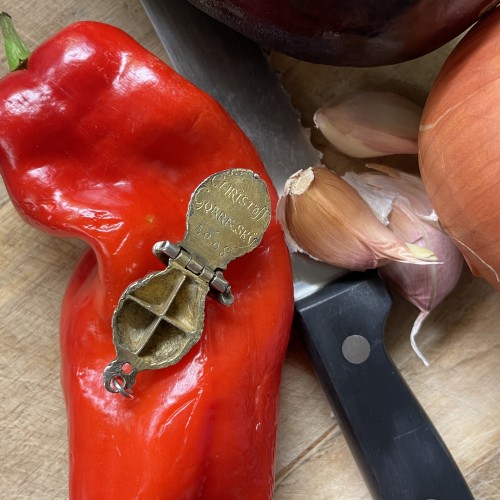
{"x": 460, "y": 391}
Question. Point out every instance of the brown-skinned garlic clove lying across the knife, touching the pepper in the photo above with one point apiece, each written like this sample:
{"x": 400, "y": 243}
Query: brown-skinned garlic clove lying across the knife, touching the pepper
{"x": 326, "y": 218}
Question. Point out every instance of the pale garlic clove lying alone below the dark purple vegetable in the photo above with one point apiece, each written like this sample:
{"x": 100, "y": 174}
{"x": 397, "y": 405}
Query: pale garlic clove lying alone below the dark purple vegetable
{"x": 370, "y": 124}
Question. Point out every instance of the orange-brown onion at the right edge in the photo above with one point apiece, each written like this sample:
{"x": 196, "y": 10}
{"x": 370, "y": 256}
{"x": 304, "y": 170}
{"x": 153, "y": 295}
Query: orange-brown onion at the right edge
{"x": 459, "y": 148}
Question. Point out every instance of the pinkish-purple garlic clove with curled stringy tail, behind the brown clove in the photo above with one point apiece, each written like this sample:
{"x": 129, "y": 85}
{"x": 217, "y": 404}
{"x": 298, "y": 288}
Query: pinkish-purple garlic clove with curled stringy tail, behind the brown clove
{"x": 412, "y": 218}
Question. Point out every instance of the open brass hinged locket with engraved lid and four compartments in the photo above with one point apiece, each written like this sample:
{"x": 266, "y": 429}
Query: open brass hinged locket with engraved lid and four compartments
{"x": 160, "y": 317}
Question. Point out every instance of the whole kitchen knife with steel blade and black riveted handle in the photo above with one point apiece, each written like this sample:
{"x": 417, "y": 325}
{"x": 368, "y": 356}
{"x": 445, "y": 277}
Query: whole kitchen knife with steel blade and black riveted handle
{"x": 398, "y": 450}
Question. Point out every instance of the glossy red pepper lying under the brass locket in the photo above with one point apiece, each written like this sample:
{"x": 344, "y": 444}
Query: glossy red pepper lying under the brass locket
{"x": 102, "y": 141}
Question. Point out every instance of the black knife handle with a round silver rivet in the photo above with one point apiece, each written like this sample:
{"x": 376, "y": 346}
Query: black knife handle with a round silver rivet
{"x": 399, "y": 451}
